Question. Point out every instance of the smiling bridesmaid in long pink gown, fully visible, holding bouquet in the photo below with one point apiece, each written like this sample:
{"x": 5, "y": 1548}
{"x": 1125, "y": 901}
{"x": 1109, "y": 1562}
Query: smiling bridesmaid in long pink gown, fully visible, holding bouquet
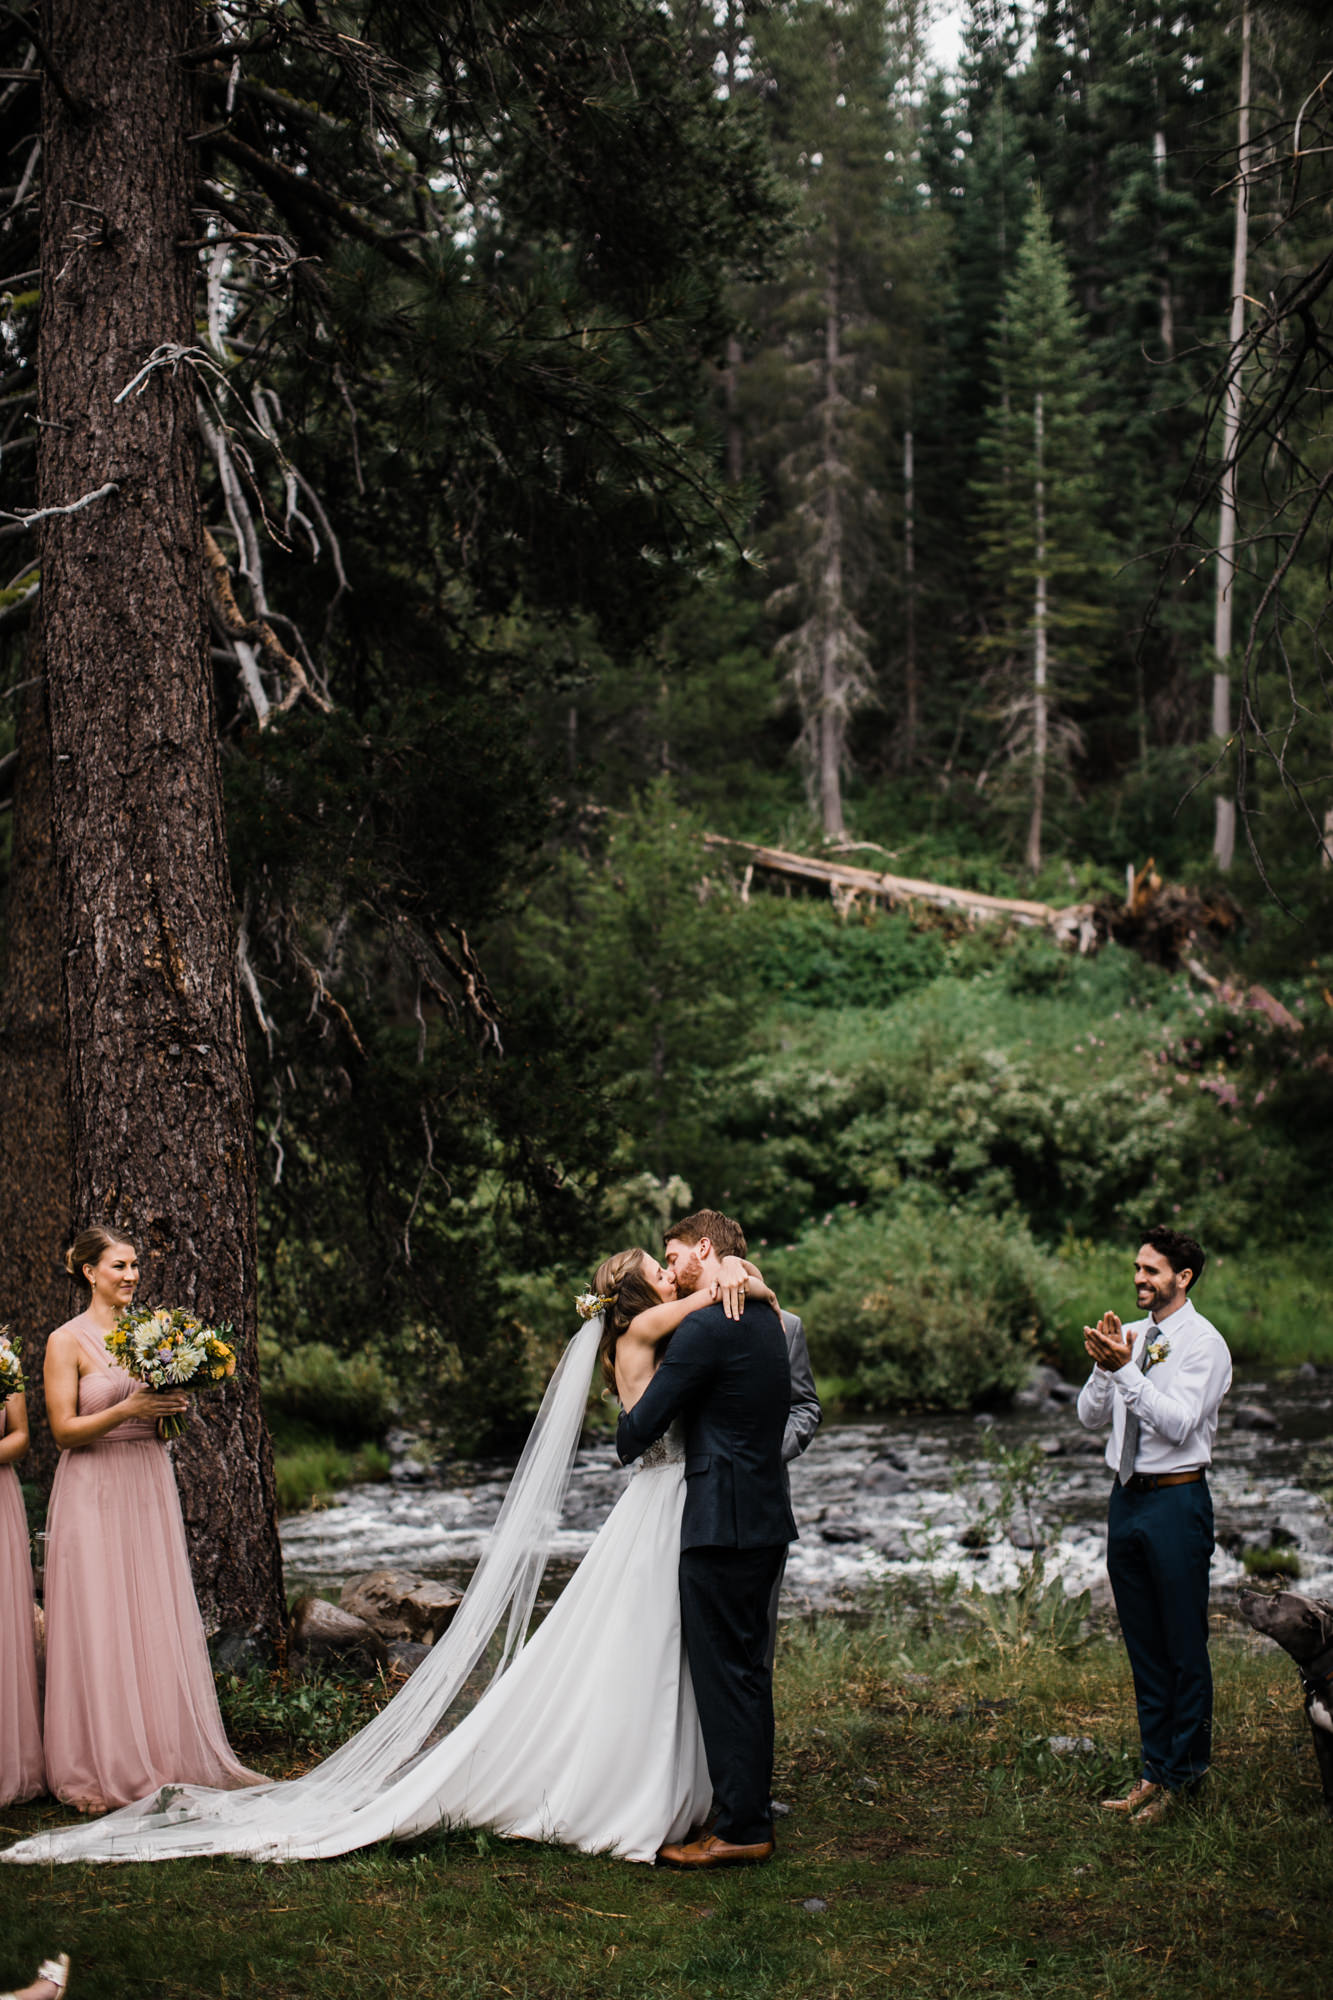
{"x": 129, "y": 1687}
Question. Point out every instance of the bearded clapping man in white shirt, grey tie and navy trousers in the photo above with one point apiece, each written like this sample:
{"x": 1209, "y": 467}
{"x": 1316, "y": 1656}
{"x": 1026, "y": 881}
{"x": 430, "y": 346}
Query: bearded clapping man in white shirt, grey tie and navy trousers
{"x": 1160, "y": 1385}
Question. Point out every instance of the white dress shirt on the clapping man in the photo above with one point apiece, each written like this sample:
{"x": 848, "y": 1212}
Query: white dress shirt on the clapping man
{"x": 1176, "y": 1401}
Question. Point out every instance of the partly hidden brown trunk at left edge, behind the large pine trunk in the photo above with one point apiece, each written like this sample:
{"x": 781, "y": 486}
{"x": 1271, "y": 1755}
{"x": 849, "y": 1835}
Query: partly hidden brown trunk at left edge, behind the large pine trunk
{"x": 35, "y": 1123}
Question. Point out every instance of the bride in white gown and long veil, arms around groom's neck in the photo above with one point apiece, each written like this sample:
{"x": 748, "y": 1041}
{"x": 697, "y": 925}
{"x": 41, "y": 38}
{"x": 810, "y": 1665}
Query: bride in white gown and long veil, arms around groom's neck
{"x": 587, "y": 1735}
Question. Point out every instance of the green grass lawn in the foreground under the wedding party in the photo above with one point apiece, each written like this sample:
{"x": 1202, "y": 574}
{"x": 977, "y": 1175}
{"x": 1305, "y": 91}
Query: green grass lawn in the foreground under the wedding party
{"x": 936, "y": 1847}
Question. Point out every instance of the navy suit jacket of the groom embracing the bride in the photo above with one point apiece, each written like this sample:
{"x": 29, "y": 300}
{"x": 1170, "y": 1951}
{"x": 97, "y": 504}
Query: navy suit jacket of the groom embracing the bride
{"x": 730, "y": 1381}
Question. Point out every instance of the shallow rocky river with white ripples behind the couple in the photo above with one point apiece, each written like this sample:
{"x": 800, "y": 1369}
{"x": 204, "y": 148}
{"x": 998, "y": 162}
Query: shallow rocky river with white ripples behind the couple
{"x": 886, "y": 1499}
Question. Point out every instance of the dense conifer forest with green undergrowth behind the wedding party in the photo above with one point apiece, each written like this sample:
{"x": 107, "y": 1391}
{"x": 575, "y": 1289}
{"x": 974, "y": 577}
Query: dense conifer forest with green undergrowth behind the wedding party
{"x": 473, "y": 475}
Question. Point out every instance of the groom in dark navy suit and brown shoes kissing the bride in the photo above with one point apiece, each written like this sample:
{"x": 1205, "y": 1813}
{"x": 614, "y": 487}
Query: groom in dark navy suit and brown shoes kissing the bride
{"x": 730, "y": 1381}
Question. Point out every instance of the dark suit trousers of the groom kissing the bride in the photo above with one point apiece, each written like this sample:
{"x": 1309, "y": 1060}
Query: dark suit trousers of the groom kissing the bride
{"x": 726, "y": 1617}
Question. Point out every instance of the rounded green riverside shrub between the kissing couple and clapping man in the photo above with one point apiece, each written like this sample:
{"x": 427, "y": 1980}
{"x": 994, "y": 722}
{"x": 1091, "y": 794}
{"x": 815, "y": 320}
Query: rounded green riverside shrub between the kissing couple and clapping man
{"x": 922, "y": 1309}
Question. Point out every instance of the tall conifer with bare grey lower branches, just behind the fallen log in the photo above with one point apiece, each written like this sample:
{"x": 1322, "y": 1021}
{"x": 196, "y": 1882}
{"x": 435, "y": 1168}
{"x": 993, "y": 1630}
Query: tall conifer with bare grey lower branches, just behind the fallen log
{"x": 824, "y": 371}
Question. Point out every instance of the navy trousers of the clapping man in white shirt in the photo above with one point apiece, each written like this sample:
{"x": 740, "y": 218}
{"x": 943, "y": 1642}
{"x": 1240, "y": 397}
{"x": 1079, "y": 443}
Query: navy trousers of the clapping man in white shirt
{"x": 1160, "y": 1547}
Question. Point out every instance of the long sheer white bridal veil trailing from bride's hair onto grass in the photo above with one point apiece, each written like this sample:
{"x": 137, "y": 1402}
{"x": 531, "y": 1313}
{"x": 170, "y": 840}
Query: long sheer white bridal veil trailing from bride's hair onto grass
{"x": 351, "y": 1799}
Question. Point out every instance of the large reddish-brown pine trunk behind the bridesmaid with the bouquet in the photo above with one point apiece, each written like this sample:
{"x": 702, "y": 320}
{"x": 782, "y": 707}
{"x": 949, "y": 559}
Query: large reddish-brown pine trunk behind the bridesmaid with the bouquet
{"x": 161, "y": 1115}
